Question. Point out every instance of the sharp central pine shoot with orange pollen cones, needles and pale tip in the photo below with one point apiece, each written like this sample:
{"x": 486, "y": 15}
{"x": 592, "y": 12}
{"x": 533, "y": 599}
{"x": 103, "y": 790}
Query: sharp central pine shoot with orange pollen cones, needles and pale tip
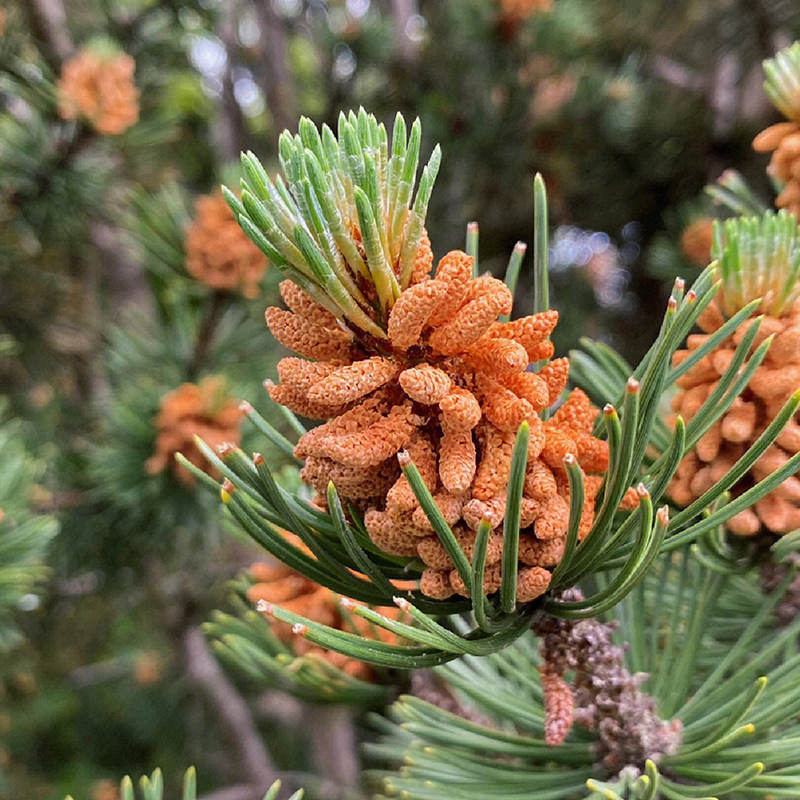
{"x": 437, "y": 462}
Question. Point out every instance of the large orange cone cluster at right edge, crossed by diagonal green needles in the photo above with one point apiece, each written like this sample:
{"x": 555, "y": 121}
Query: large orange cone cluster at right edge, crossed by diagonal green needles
{"x": 727, "y": 440}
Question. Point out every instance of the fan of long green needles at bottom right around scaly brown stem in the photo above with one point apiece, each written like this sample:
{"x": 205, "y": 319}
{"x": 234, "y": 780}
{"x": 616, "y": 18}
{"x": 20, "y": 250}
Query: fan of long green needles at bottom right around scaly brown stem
{"x": 716, "y": 664}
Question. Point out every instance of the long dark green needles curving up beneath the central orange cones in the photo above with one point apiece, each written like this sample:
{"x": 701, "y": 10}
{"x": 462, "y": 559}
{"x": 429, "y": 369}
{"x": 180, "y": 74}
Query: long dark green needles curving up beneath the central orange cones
{"x": 628, "y": 544}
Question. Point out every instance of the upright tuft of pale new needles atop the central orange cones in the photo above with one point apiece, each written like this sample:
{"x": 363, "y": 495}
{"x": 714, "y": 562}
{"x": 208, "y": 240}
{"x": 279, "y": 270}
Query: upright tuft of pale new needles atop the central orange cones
{"x": 346, "y": 224}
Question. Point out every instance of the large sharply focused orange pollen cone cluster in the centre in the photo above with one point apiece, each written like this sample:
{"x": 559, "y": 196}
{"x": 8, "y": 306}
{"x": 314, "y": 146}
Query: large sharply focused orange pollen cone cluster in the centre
{"x": 448, "y": 390}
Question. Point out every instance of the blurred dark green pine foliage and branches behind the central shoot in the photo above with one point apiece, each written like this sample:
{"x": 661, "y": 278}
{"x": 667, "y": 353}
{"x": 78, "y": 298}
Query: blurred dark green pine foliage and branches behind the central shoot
{"x": 627, "y": 109}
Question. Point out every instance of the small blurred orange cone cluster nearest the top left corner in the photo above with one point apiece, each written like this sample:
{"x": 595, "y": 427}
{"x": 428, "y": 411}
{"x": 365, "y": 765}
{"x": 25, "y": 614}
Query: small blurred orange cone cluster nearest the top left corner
{"x": 100, "y": 89}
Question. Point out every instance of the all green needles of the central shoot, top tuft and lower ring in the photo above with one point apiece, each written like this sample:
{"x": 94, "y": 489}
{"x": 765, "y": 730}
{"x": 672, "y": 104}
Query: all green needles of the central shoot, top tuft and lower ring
{"x": 361, "y": 175}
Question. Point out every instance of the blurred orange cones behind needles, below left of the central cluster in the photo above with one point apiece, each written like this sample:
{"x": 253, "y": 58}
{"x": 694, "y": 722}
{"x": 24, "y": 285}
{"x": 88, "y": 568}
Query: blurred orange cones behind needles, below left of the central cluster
{"x": 279, "y": 584}
